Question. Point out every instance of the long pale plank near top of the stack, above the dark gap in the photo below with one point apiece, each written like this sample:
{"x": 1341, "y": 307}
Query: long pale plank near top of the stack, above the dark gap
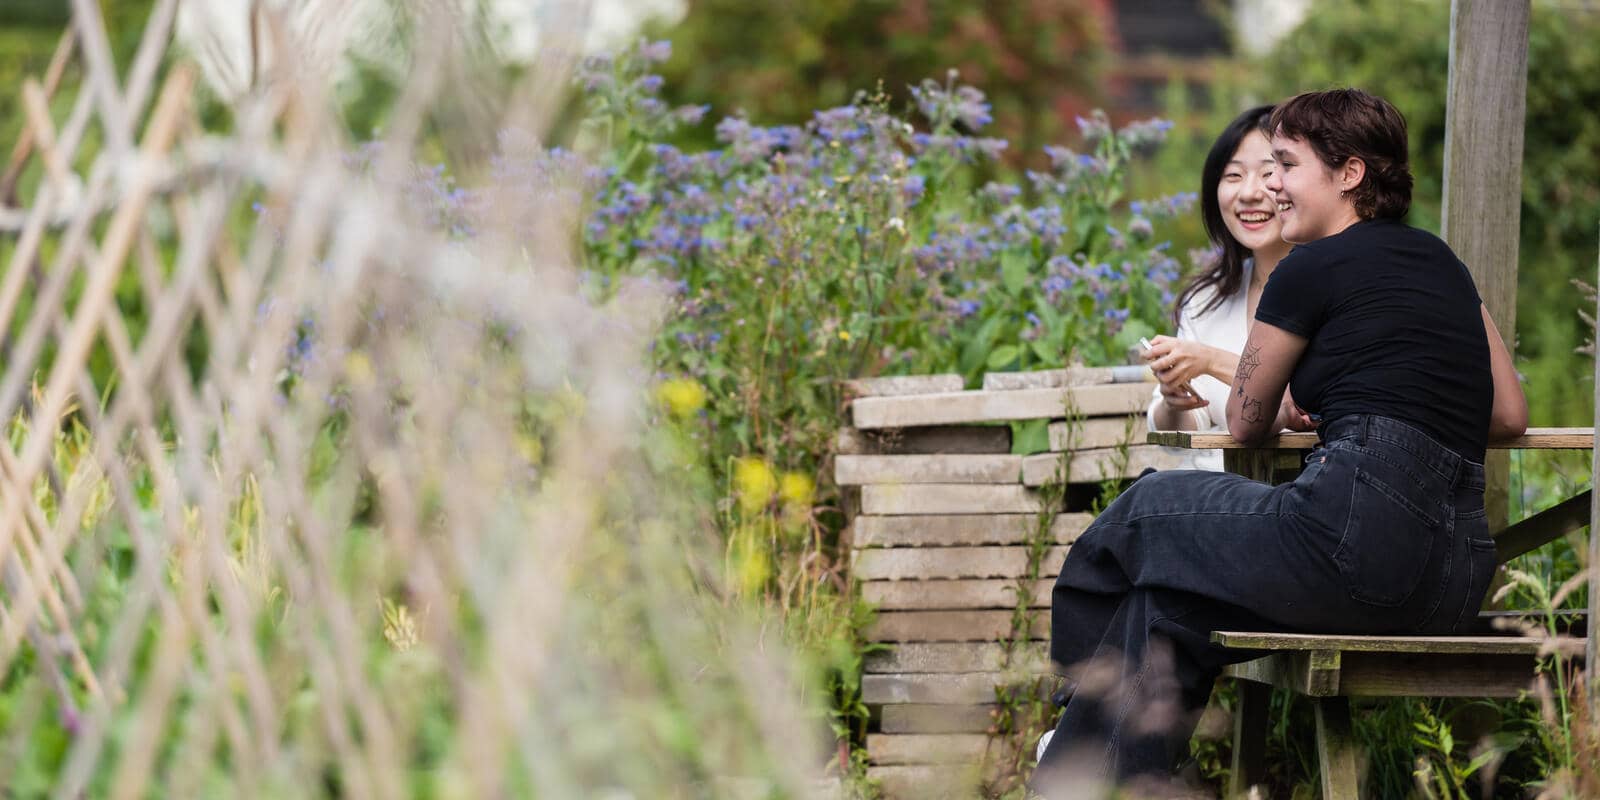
{"x": 998, "y": 407}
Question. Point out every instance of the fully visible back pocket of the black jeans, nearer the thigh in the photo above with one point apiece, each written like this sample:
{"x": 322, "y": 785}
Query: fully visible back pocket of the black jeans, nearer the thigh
{"x": 1388, "y": 540}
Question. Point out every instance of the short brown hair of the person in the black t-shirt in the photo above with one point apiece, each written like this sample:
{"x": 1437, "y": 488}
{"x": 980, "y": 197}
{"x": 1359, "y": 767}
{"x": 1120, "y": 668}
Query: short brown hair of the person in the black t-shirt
{"x": 1353, "y": 124}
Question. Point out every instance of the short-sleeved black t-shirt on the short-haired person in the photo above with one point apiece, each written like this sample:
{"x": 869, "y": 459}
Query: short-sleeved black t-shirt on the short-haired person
{"x": 1394, "y": 329}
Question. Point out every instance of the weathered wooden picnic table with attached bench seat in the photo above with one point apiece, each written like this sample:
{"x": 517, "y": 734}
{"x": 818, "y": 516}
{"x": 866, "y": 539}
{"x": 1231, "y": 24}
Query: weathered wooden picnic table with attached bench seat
{"x": 1332, "y": 670}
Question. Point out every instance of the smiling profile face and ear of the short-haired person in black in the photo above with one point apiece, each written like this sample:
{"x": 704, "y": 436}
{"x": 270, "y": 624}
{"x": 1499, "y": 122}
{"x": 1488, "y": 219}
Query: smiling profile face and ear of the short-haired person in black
{"x": 1308, "y": 193}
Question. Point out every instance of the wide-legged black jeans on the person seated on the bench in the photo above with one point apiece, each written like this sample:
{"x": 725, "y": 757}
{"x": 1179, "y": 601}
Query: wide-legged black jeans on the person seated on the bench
{"x": 1382, "y": 534}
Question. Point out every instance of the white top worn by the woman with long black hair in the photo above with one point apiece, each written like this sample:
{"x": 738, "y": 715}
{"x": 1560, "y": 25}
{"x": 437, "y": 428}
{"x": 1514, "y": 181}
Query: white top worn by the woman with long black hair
{"x": 1225, "y": 327}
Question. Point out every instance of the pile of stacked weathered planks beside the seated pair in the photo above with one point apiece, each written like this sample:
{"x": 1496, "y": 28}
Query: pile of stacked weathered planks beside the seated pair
{"x": 940, "y": 530}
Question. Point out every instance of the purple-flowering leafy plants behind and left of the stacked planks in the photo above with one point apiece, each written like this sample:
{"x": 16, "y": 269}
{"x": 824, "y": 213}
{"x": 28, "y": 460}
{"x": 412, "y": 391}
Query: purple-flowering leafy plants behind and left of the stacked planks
{"x": 862, "y": 242}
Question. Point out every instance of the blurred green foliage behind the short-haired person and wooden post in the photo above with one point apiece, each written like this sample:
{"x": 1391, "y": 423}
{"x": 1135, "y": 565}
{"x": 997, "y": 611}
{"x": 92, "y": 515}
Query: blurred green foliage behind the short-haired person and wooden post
{"x": 1401, "y": 50}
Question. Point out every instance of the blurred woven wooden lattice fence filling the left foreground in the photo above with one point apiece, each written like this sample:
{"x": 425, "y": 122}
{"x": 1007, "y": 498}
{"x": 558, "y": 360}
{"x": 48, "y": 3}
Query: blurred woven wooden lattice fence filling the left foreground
{"x": 306, "y": 497}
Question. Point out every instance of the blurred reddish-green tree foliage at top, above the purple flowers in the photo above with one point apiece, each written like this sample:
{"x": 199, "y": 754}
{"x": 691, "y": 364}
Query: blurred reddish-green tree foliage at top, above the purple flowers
{"x": 1039, "y": 62}
